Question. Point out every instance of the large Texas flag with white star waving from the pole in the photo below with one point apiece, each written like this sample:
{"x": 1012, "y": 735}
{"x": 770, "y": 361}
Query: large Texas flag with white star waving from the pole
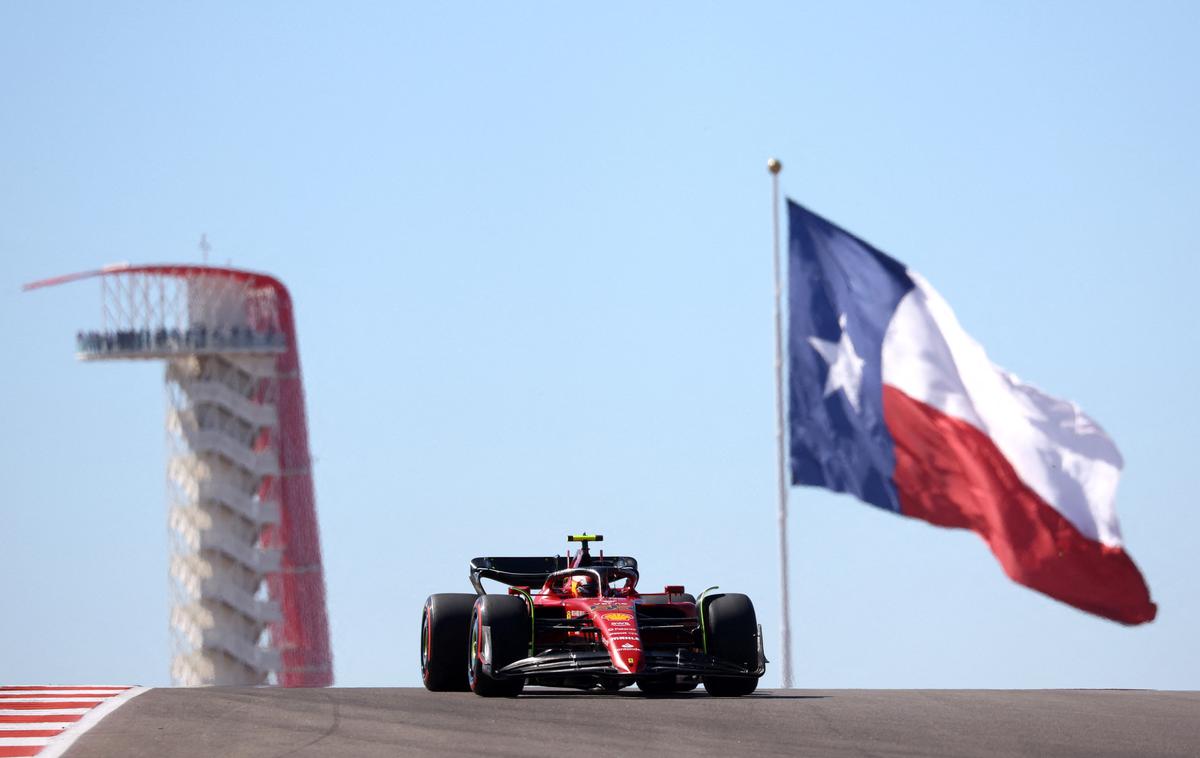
{"x": 893, "y": 402}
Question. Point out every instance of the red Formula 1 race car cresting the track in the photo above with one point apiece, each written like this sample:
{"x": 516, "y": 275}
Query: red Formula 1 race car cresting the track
{"x": 579, "y": 622}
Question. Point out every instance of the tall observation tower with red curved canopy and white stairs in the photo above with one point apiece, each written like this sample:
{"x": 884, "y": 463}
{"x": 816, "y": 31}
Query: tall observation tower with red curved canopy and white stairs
{"x": 247, "y": 581}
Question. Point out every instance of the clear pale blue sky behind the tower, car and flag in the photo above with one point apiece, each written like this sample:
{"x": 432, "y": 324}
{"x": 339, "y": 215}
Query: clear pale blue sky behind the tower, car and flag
{"x": 530, "y": 250}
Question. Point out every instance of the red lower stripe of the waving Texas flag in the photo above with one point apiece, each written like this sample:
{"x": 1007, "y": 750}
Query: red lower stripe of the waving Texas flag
{"x": 951, "y": 474}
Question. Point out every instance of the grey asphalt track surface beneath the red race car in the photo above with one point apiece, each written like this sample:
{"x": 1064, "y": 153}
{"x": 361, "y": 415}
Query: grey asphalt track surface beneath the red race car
{"x": 273, "y": 724}
